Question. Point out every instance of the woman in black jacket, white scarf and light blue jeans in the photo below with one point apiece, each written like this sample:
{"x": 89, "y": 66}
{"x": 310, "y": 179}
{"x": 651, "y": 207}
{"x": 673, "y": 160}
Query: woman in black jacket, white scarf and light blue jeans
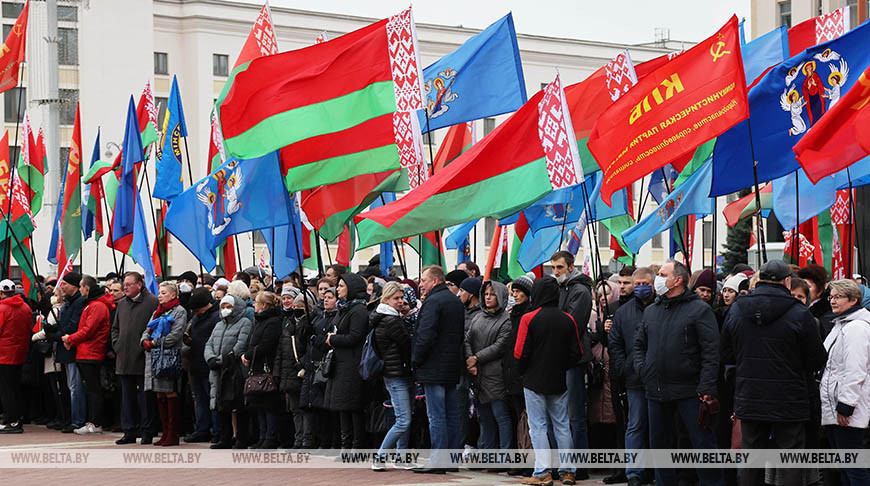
{"x": 392, "y": 342}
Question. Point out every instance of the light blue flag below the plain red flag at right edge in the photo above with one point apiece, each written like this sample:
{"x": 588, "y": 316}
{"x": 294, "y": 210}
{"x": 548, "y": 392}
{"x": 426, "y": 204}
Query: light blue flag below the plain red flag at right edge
{"x": 814, "y": 198}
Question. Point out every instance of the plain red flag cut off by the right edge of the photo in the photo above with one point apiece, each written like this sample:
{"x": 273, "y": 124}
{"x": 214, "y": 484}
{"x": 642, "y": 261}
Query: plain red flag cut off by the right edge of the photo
{"x": 835, "y": 141}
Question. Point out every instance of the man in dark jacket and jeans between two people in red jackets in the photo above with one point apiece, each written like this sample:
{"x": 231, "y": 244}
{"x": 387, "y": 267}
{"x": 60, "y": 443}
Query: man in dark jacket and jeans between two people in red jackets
{"x": 68, "y": 323}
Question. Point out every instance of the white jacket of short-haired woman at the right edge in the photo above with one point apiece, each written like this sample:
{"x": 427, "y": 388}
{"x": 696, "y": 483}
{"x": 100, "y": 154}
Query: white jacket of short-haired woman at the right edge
{"x": 845, "y": 386}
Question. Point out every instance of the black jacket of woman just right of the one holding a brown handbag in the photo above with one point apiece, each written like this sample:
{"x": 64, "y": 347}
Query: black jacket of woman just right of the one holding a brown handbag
{"x": 292, "y": 347}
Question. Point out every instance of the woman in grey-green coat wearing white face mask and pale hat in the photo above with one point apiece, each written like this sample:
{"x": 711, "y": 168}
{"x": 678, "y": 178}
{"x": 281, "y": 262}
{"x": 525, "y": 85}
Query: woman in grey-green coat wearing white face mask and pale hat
{"x": 227, "y": 343}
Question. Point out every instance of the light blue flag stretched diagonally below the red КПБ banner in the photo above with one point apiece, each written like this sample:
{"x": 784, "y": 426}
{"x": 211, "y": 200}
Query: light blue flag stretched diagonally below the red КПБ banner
{"x": 692, "y": 197}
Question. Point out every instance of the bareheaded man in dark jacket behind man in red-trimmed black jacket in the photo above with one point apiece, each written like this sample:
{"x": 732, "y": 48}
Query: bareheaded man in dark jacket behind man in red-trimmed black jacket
{"x": 575, "y": 298}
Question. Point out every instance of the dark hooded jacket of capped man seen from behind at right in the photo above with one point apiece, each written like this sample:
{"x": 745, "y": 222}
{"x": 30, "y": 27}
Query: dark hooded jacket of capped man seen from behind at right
{"x": 773, "y": 340}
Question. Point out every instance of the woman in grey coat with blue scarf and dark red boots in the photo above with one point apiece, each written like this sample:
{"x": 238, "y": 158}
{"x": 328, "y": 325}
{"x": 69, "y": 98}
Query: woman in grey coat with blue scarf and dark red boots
{"x": 165, "y": 331}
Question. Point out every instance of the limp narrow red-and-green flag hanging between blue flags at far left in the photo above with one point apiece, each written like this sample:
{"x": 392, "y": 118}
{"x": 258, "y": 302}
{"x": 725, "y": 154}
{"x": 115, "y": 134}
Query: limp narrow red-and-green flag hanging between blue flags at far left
{"x": 71, "y": 215}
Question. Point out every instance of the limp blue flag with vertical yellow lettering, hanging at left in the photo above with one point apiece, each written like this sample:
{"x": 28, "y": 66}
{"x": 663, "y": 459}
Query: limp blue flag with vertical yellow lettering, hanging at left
{"x": 168, "y": 183}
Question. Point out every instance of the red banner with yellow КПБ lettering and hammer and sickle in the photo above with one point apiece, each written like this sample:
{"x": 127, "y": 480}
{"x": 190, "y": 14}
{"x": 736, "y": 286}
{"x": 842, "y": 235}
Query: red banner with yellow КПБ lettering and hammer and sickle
{"x": 670, "y": 112}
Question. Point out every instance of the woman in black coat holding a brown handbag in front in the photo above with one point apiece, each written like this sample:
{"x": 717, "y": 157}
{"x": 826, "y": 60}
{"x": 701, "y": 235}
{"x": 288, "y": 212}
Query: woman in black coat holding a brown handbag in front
{"x": 262, "y": 347}
